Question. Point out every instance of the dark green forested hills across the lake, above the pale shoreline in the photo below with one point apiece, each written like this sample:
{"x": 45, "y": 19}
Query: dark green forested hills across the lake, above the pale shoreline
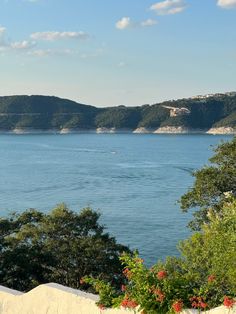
{"x": 45, "y": 112}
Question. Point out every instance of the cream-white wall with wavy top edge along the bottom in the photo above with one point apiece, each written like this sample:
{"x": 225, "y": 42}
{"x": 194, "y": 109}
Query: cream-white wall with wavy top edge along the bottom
{"x": 56, "y": 299}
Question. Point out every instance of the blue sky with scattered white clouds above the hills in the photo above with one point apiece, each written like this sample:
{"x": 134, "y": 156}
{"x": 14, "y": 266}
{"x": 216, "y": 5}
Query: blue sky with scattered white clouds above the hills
{"x": 117, "y": 52}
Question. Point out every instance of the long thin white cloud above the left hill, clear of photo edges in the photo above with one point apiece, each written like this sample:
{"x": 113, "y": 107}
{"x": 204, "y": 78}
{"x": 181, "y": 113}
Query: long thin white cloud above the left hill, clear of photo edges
{"x": 52, "y": 36}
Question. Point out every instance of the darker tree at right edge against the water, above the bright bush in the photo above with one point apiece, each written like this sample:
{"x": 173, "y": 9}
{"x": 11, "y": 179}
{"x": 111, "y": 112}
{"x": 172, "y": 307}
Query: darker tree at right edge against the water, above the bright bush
{"x": 212, "y": 184}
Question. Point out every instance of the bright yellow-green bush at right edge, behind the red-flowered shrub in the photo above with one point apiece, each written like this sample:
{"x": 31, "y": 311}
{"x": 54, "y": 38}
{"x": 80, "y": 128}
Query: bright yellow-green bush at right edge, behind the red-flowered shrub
{"x": 213, "y": 252}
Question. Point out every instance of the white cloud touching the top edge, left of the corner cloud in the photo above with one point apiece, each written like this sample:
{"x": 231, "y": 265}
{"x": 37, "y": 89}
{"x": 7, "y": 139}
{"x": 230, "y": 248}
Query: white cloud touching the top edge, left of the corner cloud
{"x": 168, "y": 7}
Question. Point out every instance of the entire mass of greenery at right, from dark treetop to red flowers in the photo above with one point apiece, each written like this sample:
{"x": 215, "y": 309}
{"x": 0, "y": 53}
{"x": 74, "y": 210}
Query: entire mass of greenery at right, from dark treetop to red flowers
{"x": 204, "y": 276}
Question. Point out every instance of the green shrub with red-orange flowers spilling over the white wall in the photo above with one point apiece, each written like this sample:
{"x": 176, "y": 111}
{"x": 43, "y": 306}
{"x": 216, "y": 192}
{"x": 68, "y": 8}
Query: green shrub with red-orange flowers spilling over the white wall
{"x": 165, "y": 288}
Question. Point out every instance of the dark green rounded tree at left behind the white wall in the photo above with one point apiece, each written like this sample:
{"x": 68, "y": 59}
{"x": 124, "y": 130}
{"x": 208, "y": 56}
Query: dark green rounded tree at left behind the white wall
{"x": 62, "y": 246}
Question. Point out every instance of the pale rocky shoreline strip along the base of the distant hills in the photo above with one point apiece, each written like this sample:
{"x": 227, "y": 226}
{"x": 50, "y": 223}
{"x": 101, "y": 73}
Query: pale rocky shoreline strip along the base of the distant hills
{"x": 142, "y": 130}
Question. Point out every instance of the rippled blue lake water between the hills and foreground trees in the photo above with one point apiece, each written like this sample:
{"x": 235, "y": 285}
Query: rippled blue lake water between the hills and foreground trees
{"x": 134, "y": 180}
